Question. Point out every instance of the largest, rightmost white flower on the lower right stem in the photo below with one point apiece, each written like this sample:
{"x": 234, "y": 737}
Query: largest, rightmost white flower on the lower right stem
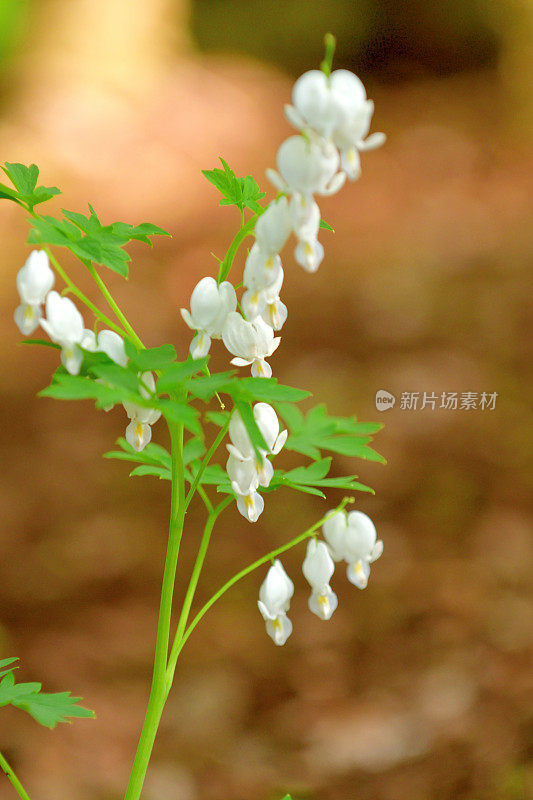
{"x": 352, "y": 537}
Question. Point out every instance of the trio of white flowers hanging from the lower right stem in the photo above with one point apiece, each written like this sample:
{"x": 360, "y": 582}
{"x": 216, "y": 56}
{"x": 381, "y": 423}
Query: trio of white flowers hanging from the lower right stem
{"x": 351, "y": 537}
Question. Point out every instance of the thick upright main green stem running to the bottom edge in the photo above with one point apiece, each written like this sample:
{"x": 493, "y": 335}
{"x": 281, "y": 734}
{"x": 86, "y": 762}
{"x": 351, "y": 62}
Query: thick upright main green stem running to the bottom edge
{"x": 158, "y": 692}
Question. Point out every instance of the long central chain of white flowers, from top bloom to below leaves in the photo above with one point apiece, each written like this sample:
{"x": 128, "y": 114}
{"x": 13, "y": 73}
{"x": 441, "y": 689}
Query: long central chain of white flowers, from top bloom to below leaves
{"x": 334, "y": 116}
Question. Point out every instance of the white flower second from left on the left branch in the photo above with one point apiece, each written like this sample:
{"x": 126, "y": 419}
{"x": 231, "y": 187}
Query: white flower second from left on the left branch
{"x": 64, "y": 325}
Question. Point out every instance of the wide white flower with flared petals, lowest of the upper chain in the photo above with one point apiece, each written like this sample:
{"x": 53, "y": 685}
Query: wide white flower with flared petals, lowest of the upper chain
{"x": 250, "y": 343}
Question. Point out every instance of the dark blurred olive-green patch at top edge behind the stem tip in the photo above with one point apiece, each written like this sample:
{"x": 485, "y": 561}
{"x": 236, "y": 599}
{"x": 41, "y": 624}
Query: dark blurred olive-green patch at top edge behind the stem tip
{"x": 394, "y": 38}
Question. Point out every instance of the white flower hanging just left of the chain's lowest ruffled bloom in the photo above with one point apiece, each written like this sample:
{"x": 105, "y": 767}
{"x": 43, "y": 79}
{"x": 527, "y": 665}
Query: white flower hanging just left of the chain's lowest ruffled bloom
{"x": 210, "y": 306}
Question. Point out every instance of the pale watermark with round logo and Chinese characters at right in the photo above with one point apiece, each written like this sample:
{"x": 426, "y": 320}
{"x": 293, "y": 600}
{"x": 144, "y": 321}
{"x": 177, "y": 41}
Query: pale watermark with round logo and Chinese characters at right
{"x": 449, "y": 401}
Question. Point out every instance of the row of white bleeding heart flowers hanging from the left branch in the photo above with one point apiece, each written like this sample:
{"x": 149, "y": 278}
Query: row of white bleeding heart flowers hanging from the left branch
{"x": 65, "y": 326}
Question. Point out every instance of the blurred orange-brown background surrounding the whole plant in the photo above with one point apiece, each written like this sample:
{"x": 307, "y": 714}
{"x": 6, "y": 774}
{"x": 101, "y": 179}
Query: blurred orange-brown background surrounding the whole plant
{"x": 420, "y": 688}
